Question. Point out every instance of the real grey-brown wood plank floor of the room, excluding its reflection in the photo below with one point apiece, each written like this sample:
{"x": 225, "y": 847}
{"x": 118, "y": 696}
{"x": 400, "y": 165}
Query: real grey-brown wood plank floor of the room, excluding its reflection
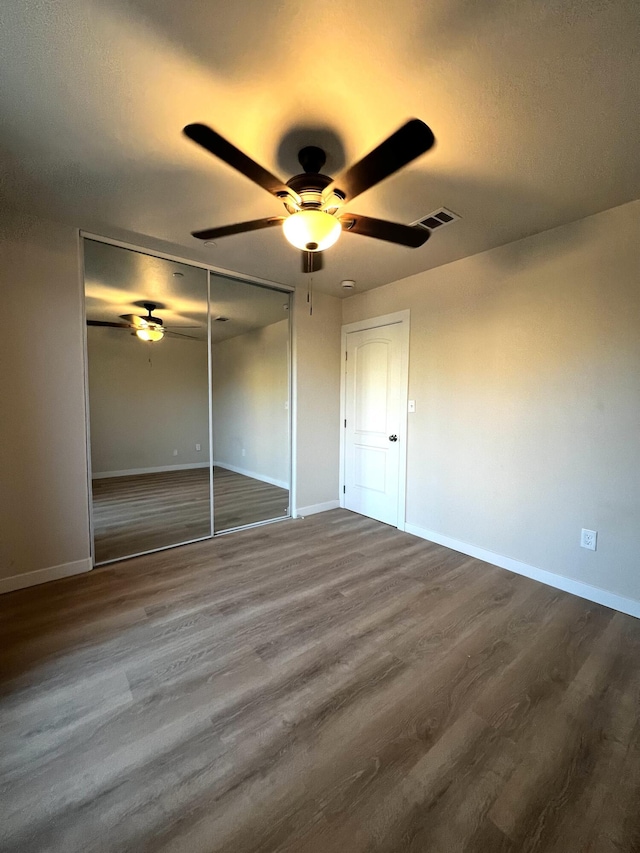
{"x": 320, "y": 685}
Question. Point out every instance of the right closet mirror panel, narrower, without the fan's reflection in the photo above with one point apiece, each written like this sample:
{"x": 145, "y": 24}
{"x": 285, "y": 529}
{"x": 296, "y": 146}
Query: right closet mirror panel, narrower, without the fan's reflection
{"x": 250, "y": 343}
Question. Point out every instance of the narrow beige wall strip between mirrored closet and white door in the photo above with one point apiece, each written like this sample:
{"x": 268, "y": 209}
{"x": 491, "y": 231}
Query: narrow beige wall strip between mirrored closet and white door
{"x": 317, "y": 383}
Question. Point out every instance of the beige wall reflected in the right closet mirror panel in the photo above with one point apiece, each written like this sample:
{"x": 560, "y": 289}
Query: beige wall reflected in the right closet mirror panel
{"x": 250, "y": 403}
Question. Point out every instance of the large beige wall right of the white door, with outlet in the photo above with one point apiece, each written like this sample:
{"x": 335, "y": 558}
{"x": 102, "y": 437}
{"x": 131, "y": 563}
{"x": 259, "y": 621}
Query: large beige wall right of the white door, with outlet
{"x": 525, "y": 368}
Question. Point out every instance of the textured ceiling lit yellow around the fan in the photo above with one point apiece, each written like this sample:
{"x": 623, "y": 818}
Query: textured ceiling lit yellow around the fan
{"x": 534, "y": 105}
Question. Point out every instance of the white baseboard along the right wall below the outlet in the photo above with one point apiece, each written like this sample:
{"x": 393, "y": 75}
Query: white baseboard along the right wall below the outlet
{"x": 583, "y": 590}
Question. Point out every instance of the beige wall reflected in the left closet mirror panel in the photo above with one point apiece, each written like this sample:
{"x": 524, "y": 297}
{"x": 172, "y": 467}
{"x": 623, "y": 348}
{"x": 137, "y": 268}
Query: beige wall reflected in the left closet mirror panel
{"x": 147, "y": 400}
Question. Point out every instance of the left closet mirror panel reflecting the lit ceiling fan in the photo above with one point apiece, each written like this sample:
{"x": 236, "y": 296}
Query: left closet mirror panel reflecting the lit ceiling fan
{"x": 148, "y": 401}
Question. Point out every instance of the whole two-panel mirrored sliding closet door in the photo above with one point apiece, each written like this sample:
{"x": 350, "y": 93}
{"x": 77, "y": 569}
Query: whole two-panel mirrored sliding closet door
{"x": 177, "y": 363}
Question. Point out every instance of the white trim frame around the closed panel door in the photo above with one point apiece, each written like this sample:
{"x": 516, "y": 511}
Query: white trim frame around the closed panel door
{"x": 401, "y": 318}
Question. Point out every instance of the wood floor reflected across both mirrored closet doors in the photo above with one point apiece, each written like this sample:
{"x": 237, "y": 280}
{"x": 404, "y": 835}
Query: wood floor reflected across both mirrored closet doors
{"x": 146, "y": 511}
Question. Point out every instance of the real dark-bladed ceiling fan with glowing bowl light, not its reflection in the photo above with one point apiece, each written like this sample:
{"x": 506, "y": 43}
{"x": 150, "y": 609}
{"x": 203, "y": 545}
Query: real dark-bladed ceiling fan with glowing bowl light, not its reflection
{"x": 314, "y": 201}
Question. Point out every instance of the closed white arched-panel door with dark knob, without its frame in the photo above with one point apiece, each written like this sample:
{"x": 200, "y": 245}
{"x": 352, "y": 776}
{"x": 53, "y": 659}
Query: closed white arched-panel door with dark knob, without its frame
{"x": 372, "y": 430}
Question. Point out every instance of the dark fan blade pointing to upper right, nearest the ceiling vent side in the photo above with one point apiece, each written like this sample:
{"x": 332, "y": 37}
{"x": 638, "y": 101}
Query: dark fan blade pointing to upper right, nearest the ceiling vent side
{"x": 410, "y": 141}
